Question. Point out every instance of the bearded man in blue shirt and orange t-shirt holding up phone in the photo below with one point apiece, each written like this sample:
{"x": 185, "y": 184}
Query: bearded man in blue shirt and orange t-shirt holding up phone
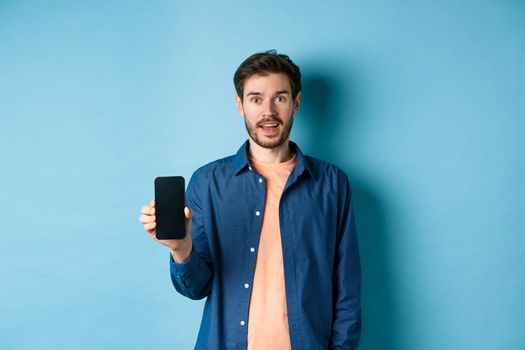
{"x": 271, "y": 239}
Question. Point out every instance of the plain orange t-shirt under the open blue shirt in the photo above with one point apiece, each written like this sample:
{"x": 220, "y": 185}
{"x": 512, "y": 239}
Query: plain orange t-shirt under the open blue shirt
{"x": 268, "y": 317}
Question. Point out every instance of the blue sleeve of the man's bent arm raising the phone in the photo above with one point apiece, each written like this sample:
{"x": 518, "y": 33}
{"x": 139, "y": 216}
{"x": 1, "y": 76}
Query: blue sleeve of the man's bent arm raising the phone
{"x": 193, "y": 277}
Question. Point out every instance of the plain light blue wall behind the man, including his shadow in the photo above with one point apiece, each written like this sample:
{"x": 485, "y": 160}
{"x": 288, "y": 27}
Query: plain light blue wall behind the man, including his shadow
{"x": 420, "y": 102}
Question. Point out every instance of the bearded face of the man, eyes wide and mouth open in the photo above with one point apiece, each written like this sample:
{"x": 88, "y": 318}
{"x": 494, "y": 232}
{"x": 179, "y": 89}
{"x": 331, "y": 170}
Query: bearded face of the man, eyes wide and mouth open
{"x": 268, "y": 108}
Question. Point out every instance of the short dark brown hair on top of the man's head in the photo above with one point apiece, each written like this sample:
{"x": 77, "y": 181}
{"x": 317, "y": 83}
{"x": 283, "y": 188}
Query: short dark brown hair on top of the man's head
{"x": 264, "y": 63}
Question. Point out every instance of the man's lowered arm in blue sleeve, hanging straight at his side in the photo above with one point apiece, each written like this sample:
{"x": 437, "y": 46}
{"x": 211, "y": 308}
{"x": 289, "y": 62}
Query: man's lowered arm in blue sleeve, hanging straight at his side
{"x": 346, "y": 328}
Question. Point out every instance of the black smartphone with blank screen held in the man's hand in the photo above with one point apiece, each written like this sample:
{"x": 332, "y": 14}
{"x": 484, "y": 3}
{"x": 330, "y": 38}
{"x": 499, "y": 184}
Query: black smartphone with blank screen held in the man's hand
{"x": 169, "y": 207}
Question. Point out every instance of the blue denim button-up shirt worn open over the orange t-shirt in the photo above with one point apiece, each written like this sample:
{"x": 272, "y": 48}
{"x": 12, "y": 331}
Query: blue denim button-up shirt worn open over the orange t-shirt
{"x": 319, "y": 243}
